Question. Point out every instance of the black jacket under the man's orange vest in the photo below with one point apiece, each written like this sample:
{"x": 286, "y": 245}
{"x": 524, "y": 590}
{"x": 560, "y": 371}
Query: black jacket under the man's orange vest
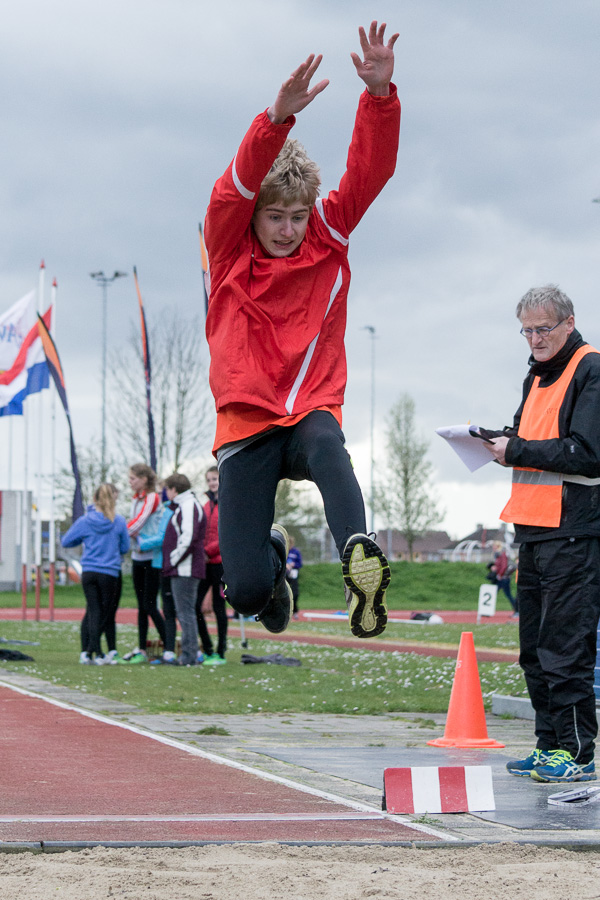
{"x": 577, "y": 449}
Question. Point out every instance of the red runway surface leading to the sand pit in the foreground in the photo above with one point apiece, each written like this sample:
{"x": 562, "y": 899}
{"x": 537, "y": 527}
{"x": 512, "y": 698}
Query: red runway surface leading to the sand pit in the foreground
{"x": 68, "y": 775}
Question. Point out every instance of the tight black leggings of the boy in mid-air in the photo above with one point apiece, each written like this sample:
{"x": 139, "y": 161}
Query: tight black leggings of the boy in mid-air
{"x": 312, "y": 450}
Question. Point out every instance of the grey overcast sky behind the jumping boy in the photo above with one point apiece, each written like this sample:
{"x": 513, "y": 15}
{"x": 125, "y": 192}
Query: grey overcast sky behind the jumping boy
{"x": 119, "y": 116}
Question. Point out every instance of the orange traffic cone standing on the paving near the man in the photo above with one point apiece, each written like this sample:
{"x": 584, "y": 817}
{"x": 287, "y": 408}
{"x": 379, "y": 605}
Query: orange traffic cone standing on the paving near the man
{"x": 465, "y": 723}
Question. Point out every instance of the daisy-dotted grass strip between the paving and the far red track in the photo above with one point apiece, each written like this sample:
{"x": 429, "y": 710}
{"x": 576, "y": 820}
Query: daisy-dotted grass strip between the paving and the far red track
{"x": 330, "y": 680}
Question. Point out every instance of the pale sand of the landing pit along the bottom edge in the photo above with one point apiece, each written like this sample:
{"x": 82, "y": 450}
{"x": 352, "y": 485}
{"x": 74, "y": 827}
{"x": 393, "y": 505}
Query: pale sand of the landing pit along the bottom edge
{"x": 273, "y": 872}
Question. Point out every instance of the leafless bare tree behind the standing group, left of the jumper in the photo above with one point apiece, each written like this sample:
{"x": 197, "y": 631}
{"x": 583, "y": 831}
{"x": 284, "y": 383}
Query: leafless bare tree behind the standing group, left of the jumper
{"x": 182, "y": 406}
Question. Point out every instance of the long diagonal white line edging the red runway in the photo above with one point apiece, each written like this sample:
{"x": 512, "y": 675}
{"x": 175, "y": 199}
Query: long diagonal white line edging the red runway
{"x": 223, "y": 761}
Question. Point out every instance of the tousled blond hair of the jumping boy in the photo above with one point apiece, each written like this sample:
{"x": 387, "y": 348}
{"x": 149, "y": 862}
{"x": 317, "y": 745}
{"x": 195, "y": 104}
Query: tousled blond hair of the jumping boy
{"x": 293, "y": 178}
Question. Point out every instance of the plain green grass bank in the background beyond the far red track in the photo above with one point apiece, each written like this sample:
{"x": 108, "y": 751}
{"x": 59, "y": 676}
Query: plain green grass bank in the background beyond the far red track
{"x": 415, "y": 586}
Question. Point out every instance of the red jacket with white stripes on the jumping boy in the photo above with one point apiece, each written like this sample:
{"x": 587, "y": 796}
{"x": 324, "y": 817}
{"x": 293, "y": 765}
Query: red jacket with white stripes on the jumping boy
{"x": 276, "y": 327}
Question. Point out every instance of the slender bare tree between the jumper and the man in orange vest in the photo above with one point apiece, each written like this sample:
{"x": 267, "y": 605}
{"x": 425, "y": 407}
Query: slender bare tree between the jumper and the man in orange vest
{"x": 404, "y": 492}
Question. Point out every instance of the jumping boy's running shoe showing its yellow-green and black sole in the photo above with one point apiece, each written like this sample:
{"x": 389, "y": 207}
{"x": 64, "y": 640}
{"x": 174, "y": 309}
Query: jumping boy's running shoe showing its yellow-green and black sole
{"x": 366, "y": 575}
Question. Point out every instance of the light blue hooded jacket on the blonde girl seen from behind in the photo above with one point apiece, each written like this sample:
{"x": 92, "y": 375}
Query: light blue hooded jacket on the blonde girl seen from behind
{"x": 103, "y": 541}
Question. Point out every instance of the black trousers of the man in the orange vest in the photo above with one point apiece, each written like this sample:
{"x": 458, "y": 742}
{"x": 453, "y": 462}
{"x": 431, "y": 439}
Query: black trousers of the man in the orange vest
{"x": 559, "y": 607}
